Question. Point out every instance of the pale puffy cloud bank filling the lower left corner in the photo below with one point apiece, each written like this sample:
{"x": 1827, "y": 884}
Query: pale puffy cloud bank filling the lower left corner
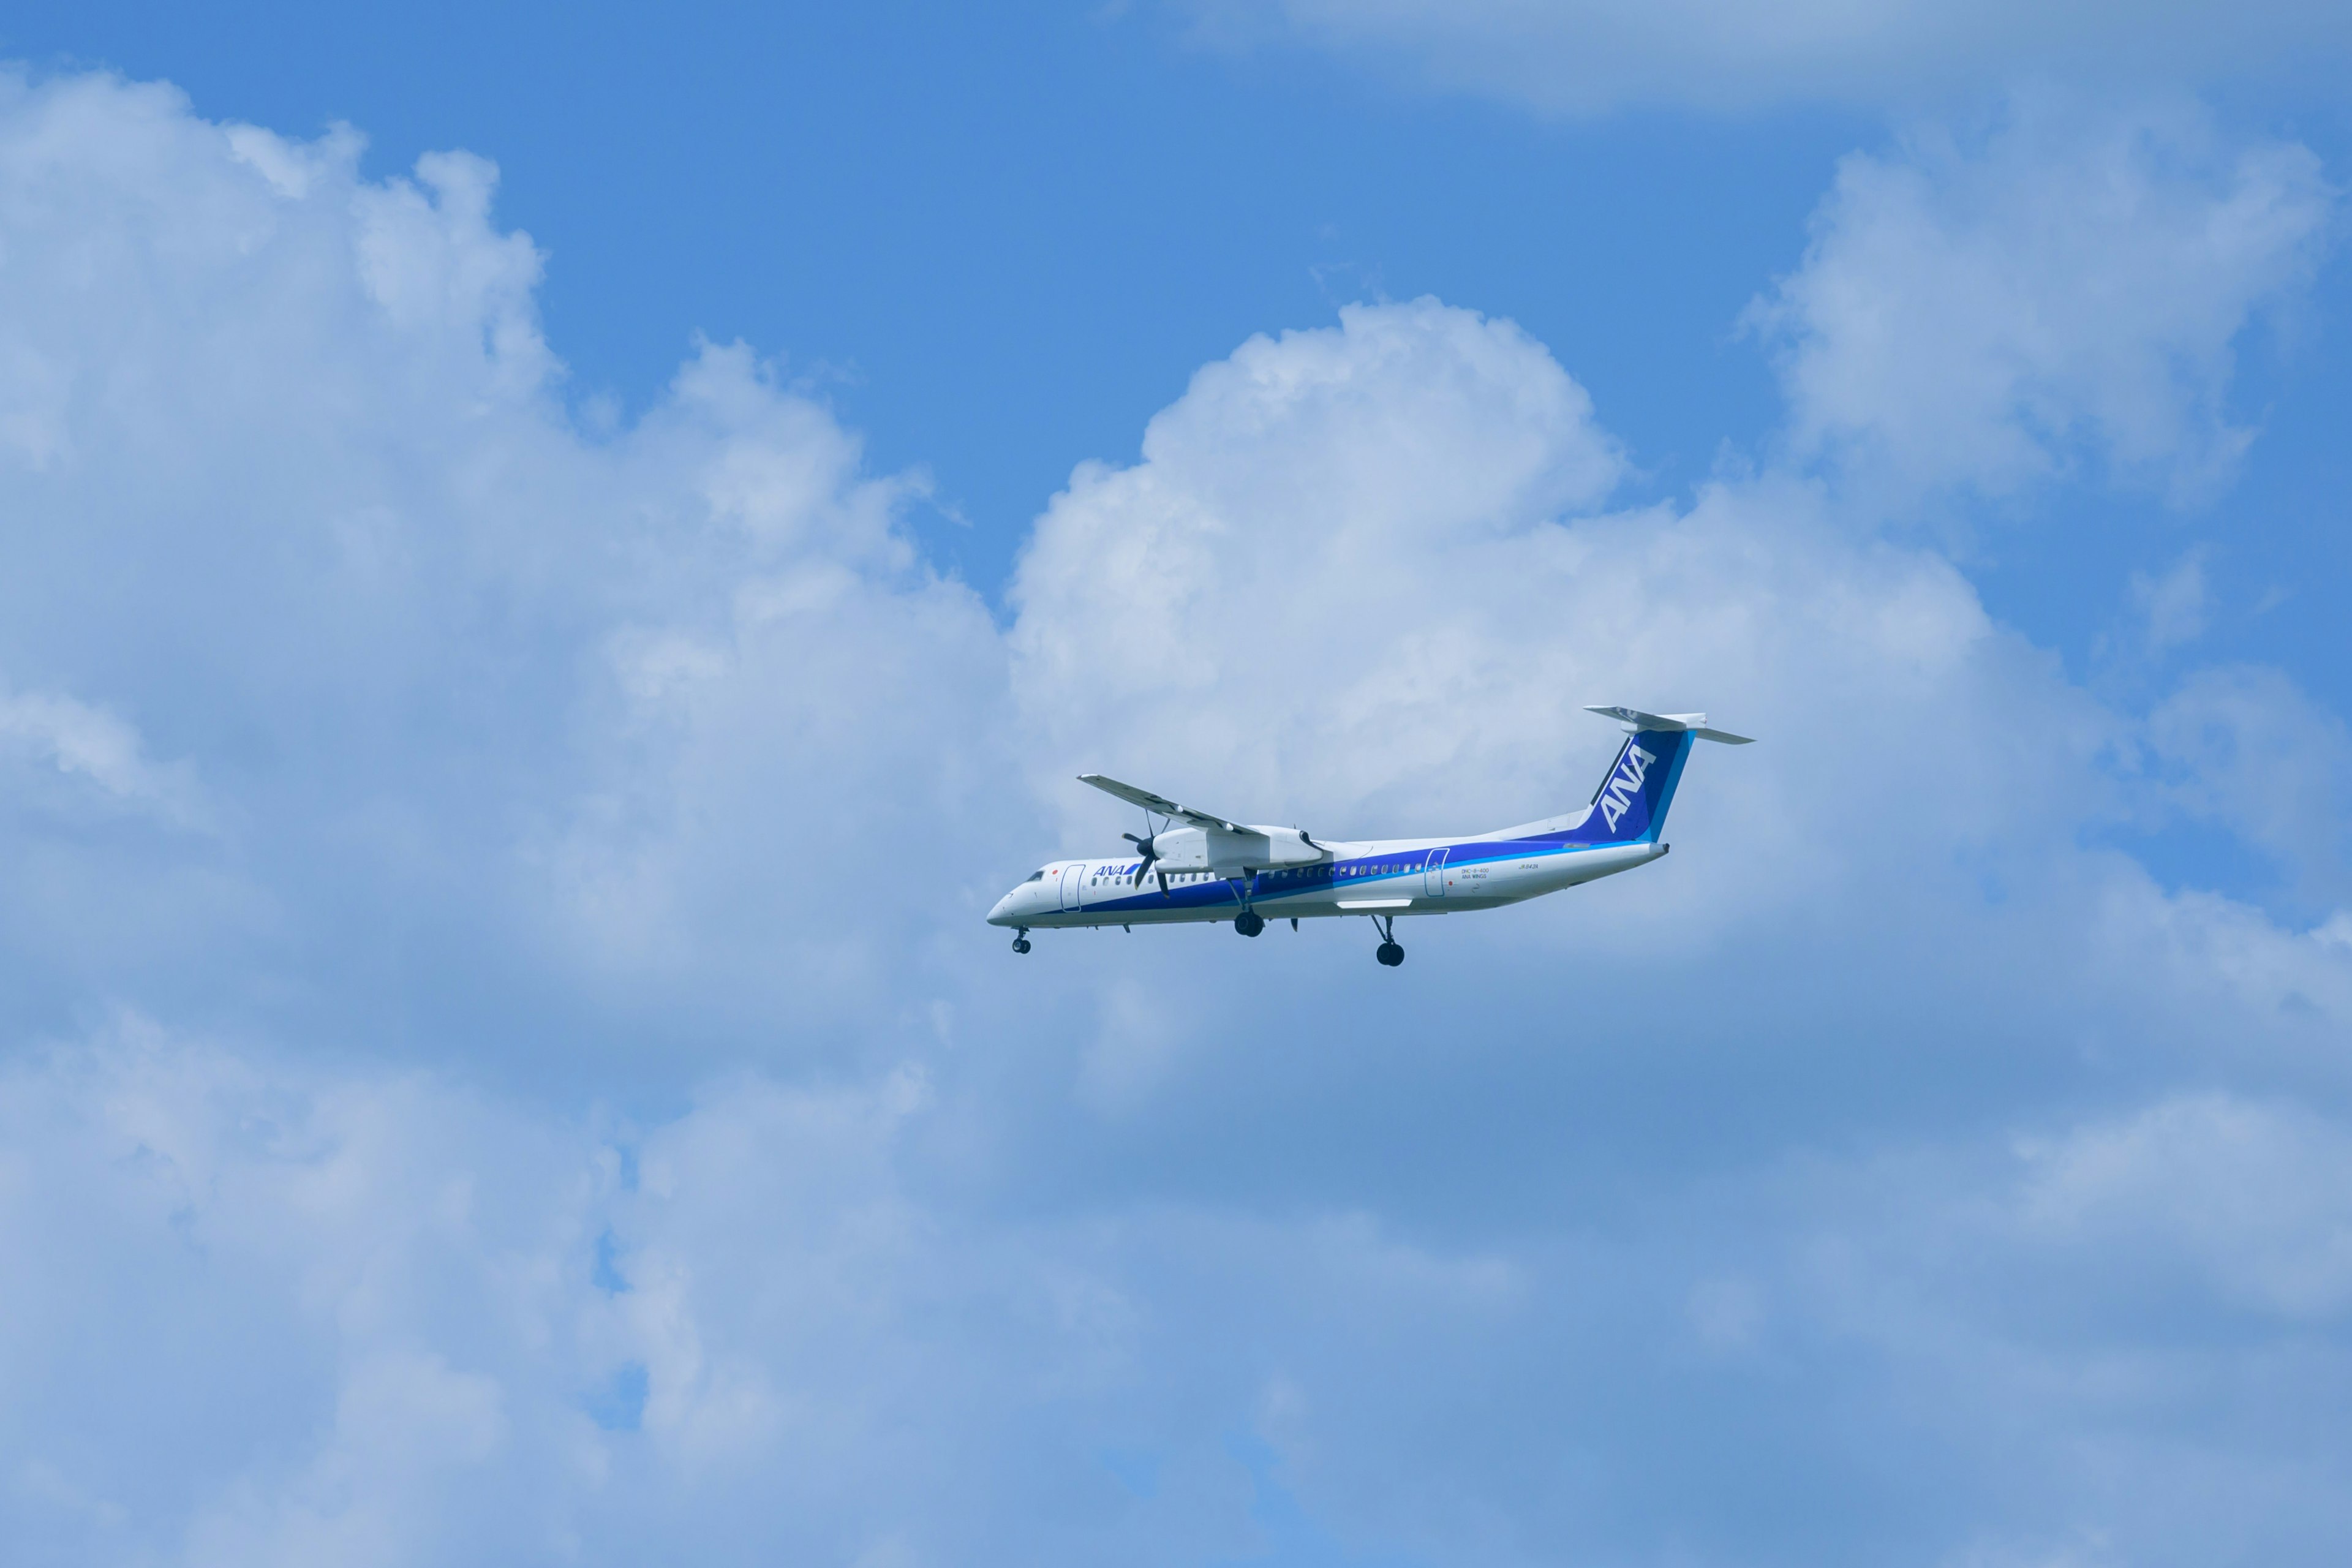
{"x": 359, "y": 1318}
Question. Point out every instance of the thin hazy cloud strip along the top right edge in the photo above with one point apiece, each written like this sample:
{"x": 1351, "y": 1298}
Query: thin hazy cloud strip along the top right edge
{"x": 1586, "y": 58}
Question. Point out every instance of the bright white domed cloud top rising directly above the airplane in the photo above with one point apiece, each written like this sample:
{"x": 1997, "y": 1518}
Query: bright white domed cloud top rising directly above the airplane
{"x": 1262, "y": 587}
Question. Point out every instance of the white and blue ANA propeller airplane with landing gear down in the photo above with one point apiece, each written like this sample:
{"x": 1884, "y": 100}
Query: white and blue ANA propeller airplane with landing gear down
{"x": 1220, "y": 871}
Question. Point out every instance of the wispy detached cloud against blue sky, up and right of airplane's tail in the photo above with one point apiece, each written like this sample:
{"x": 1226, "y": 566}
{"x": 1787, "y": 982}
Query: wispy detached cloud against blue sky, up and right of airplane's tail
{"x": 1991, "y": 311}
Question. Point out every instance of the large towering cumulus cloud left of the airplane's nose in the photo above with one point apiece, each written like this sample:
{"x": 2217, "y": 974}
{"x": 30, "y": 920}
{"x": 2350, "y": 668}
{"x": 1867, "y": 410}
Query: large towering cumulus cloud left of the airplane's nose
{"x": 486, "y": 695}
